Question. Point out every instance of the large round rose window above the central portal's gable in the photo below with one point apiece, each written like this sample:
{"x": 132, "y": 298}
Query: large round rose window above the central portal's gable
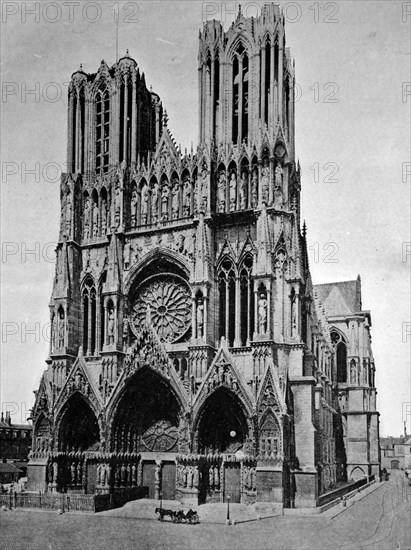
{"x": 166, "y": 300}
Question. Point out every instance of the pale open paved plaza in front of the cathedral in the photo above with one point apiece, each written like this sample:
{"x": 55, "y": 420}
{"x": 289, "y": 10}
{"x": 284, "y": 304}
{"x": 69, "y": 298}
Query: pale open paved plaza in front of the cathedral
{"x": 379, "y": 520}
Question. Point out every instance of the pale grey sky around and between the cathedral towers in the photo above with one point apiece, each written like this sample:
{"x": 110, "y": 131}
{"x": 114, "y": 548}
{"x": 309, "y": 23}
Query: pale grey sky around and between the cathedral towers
{"x": 353, "y": 102}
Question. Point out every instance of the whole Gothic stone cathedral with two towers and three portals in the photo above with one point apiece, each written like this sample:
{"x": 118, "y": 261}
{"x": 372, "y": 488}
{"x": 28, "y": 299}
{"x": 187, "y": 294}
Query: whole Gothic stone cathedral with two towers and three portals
{"x": 191, "y": 353}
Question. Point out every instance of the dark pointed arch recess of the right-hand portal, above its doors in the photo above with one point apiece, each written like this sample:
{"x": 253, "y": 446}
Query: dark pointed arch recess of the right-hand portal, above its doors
{"x": 222, "y": 426}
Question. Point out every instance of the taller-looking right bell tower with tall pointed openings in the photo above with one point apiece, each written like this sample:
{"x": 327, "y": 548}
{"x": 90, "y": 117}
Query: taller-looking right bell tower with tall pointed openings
{"x": 246, "y": 79}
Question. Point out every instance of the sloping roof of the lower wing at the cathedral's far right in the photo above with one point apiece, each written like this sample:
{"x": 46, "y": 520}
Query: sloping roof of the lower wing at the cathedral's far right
{"x": 340, "y": 298}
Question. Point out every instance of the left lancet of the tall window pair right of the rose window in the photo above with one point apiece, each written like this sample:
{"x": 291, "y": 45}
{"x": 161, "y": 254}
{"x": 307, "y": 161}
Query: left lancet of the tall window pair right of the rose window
{"x": 227, "y": 281}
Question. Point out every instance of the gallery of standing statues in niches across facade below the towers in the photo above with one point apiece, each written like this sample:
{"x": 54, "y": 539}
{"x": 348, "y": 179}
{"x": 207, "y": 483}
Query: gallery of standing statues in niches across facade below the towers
{"x": 171, "y": 201}
